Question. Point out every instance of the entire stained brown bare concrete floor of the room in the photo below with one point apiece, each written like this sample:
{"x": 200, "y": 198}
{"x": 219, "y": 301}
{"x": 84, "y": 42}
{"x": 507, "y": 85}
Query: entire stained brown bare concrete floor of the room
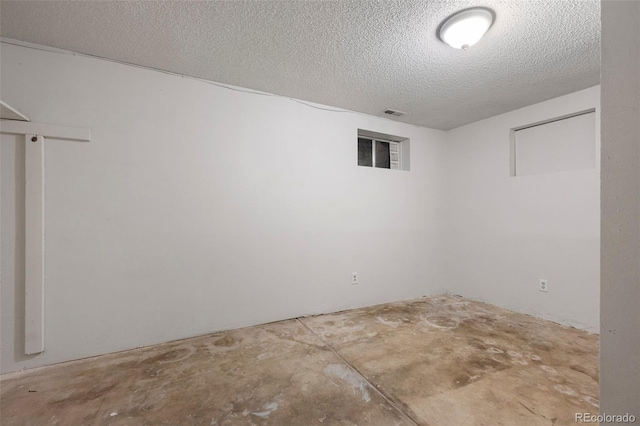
{"x": 440, "y": 361}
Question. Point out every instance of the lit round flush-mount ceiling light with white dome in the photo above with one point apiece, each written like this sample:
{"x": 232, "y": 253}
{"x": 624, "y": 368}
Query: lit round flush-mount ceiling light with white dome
{"x": 465, "y": 28}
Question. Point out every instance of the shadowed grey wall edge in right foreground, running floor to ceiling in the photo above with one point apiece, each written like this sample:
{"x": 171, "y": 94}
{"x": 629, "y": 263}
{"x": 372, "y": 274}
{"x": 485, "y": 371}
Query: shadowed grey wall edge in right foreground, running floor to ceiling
{"x": 620, "y": 294}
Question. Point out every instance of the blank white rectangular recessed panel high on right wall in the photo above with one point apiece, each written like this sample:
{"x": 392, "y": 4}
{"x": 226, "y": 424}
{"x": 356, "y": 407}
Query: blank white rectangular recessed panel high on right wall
{"x": 558, "y": 145}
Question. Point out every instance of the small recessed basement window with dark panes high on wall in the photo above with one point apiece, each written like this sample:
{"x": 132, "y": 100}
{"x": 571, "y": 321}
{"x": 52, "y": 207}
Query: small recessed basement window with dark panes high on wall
{"x": 382, "y": 151}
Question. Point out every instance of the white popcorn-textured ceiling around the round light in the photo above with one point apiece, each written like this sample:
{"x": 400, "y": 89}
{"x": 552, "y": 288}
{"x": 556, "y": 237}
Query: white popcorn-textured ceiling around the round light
{"x": 360, "y": 55}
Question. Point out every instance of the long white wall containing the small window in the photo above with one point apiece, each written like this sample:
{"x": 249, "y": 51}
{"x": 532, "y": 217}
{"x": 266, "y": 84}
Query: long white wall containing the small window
{"x": 196, "y": 208}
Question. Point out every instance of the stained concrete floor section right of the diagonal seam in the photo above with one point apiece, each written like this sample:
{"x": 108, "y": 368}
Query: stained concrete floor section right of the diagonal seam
{"x": 450, "y": 361}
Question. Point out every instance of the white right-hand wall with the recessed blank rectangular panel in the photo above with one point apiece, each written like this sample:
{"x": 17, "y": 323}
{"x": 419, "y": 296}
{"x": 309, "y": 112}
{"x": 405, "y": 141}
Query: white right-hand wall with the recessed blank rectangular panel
{"x": 505, "y": 233}
